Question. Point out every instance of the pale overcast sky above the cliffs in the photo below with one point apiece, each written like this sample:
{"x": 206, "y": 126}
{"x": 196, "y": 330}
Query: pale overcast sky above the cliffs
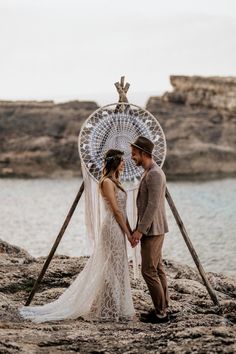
{"x": 76, "y": 49}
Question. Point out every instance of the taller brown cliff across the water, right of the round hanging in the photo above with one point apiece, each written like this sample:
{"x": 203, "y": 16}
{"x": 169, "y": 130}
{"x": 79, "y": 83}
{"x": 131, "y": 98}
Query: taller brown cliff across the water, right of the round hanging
{"x": 199, "y": 121}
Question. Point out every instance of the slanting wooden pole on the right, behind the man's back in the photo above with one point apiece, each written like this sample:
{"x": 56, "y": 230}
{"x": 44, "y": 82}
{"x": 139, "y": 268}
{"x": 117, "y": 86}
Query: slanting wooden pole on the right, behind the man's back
{"x": 191, "y": 248}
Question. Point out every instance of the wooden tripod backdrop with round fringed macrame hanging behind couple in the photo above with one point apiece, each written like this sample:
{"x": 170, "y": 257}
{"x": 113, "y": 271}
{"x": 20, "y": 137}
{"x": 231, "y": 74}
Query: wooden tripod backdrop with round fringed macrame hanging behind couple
{"x": 115, "y": 126}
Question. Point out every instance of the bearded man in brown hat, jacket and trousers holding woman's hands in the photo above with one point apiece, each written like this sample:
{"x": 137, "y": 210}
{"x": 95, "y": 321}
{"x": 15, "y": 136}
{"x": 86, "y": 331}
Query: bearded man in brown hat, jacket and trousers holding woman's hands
{"x": 151, "y": 228}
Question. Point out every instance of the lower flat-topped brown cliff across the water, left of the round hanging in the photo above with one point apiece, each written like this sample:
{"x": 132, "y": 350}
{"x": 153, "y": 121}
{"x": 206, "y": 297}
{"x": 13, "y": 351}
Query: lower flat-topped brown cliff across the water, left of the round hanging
{"x": 39, "y": 139}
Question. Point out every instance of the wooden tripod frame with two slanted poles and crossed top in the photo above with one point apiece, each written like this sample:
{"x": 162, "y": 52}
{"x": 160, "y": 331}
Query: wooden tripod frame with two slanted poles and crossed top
{"x": 122, "y": 89}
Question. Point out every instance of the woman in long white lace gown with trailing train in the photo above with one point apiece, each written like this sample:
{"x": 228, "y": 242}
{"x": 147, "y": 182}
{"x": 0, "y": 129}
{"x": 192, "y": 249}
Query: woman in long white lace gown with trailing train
{"x": 102, "y": 290}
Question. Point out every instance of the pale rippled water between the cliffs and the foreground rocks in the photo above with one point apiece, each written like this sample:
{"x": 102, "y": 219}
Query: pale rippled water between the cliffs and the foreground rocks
{"x": 32, "y": 212}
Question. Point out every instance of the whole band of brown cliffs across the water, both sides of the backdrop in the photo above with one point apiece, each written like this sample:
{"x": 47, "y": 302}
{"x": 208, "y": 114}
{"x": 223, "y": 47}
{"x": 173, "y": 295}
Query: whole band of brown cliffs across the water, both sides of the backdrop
{"x": 39, "y": 139}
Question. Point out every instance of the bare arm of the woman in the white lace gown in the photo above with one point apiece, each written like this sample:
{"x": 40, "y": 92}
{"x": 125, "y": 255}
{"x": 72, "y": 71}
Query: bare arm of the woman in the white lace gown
{"x": 108, "y": 190}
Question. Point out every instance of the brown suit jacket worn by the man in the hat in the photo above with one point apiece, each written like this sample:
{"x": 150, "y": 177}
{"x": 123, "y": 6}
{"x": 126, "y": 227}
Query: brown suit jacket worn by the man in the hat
{"x": 151, "y": 202}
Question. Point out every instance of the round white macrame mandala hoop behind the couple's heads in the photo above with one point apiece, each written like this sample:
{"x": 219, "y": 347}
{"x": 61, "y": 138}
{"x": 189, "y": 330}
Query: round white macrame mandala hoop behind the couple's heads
{"x": 113, "y": 127}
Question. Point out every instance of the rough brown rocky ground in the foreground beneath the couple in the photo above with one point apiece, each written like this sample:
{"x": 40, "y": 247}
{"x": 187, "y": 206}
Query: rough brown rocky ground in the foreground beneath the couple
{"x": 197, "y": 326}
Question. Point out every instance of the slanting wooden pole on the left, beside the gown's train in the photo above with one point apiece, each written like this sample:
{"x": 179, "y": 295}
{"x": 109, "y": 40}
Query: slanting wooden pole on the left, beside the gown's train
{"x": 56, "y": 243}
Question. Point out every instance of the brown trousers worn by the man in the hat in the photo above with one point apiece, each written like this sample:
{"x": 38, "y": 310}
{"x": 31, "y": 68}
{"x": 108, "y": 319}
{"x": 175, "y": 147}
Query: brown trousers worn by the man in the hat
{"x": 153, "y": 271}
